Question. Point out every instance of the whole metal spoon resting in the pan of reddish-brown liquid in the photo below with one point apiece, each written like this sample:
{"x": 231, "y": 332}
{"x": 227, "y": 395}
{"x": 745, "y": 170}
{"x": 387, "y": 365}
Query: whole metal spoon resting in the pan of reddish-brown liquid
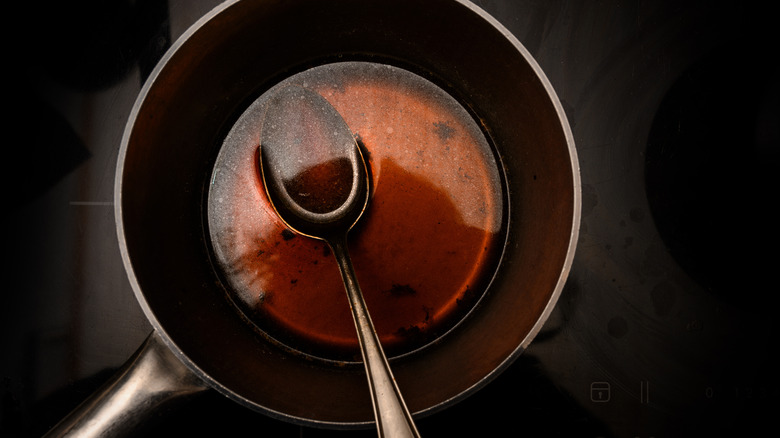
{"x": 316, "y": 179}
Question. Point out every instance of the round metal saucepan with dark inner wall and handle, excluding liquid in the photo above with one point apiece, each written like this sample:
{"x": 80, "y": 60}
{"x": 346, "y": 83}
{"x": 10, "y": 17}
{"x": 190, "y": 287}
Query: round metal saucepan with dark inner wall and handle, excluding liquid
{"x": 177, "y": 126}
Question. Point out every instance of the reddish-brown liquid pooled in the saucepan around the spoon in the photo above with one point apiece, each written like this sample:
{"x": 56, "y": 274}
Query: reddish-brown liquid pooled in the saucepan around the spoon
{"x": 425, "y": 247}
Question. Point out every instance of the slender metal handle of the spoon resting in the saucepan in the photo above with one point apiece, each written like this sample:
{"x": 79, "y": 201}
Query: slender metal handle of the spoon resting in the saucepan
{"x": 392, "y": 416}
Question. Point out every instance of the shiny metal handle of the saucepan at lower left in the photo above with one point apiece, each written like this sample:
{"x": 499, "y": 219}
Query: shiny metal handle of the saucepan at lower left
{"x": 153, "y": 376}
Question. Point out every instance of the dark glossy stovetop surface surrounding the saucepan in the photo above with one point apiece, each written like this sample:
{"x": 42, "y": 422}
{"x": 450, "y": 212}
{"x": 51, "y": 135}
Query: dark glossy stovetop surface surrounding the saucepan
{"x": 665, "y": 326}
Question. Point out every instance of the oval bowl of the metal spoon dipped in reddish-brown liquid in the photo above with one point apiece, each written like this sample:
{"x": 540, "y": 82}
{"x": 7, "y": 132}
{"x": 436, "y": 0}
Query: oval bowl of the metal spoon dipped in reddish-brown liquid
{"x": 312, "y": 168}
